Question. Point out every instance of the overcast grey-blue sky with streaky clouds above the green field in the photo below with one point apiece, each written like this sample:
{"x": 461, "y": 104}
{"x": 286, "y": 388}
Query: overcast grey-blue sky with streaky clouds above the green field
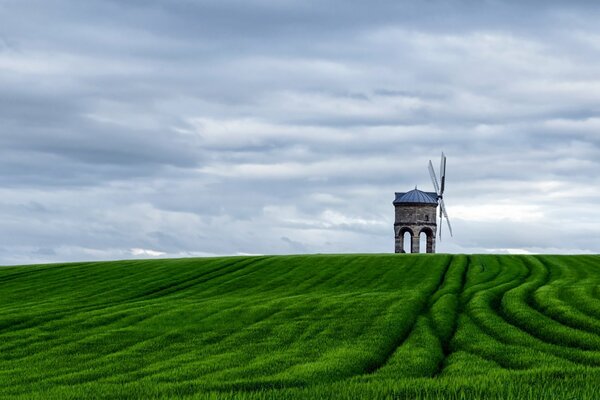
{"x": 148, "y": 128}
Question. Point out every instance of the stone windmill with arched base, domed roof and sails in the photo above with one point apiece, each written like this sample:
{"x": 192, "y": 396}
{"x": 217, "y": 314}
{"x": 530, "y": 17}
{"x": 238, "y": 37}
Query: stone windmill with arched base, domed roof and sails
{"x": 416, "y": 214}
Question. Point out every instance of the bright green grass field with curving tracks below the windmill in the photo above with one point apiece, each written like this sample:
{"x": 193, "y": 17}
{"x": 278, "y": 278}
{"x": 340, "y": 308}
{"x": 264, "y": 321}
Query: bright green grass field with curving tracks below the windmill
{"x": 320, "y": 326}
